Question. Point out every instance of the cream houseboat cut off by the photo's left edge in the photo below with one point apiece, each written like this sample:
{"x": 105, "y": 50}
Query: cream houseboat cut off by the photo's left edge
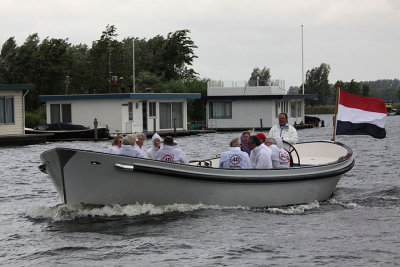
{"x": 12, "y": 108}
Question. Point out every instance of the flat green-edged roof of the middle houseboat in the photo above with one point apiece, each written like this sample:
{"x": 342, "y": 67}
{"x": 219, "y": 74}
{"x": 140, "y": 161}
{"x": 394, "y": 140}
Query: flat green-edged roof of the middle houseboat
{"x": 137, "y": 96}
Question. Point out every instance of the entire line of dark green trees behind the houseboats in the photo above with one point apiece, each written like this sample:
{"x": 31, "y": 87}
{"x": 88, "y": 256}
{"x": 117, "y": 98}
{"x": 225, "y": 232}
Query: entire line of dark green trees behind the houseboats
{"x": 162, "y": 64}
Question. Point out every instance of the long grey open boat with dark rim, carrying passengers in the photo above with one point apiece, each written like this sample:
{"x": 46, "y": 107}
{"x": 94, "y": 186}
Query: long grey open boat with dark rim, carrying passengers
{"x": 87, "y": 177}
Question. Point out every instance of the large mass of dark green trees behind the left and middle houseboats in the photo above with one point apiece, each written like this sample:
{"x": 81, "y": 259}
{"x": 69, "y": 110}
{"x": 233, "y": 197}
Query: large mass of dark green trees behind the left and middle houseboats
{"x": 58, "y": 67}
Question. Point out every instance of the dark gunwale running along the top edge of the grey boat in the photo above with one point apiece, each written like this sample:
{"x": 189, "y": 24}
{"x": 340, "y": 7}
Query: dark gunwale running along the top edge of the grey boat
{"x": 228, "y": 175}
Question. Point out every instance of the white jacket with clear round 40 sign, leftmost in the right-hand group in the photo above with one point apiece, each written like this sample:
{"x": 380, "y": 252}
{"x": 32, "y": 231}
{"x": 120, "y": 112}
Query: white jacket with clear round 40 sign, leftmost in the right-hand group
{"x": 235, "y": 159}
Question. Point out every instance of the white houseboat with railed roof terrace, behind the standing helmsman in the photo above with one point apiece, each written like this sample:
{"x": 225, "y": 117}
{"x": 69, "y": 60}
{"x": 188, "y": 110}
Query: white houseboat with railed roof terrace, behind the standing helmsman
{"x": 233, "y": 105}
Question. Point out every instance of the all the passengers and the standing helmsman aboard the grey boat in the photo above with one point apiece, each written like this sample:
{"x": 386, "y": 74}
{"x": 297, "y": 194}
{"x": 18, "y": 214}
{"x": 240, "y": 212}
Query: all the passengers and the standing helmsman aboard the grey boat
{"x": 247, "y": 152}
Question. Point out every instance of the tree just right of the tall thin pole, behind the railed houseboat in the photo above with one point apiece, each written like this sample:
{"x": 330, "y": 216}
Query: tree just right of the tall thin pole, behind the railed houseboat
{"x": 317, "y": 83}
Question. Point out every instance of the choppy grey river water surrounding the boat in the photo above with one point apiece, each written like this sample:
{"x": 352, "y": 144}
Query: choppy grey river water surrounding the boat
{"x": 358, "y": 226}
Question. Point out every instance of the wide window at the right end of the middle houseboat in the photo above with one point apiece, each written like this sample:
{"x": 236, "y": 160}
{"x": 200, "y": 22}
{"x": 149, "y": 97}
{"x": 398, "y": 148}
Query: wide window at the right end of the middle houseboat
{"x": 170, "y": 114}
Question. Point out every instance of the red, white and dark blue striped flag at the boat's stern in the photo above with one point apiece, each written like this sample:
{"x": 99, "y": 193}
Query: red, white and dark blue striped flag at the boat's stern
{"x": 360, "y": 115}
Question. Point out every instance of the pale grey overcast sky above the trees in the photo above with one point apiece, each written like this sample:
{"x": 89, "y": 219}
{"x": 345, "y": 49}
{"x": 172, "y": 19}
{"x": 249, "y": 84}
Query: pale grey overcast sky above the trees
{"x": 359, "y": 39}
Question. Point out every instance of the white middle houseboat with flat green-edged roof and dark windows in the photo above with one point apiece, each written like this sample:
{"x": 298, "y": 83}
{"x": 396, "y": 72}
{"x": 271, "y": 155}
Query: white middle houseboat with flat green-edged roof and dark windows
{"x": 122, "y": 113}
